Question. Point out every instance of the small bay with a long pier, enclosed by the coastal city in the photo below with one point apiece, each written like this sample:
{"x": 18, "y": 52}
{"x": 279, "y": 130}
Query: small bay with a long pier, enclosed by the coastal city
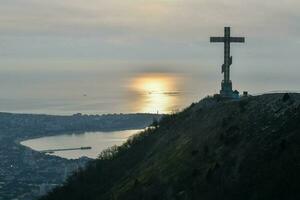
{"x": 97, "y": 140}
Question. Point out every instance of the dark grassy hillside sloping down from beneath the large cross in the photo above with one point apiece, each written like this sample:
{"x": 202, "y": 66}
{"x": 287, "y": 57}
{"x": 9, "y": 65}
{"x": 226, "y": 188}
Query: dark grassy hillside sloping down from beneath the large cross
{"x": 247, "y": 149}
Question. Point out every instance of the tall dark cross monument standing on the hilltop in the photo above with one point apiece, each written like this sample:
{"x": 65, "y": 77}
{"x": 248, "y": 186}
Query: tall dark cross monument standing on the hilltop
{"x": 226, "y": 90}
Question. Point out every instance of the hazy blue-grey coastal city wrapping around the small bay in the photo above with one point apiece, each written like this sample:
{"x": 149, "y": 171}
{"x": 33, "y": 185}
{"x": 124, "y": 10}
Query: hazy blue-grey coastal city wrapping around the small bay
{"x": 26, "y": 174}
